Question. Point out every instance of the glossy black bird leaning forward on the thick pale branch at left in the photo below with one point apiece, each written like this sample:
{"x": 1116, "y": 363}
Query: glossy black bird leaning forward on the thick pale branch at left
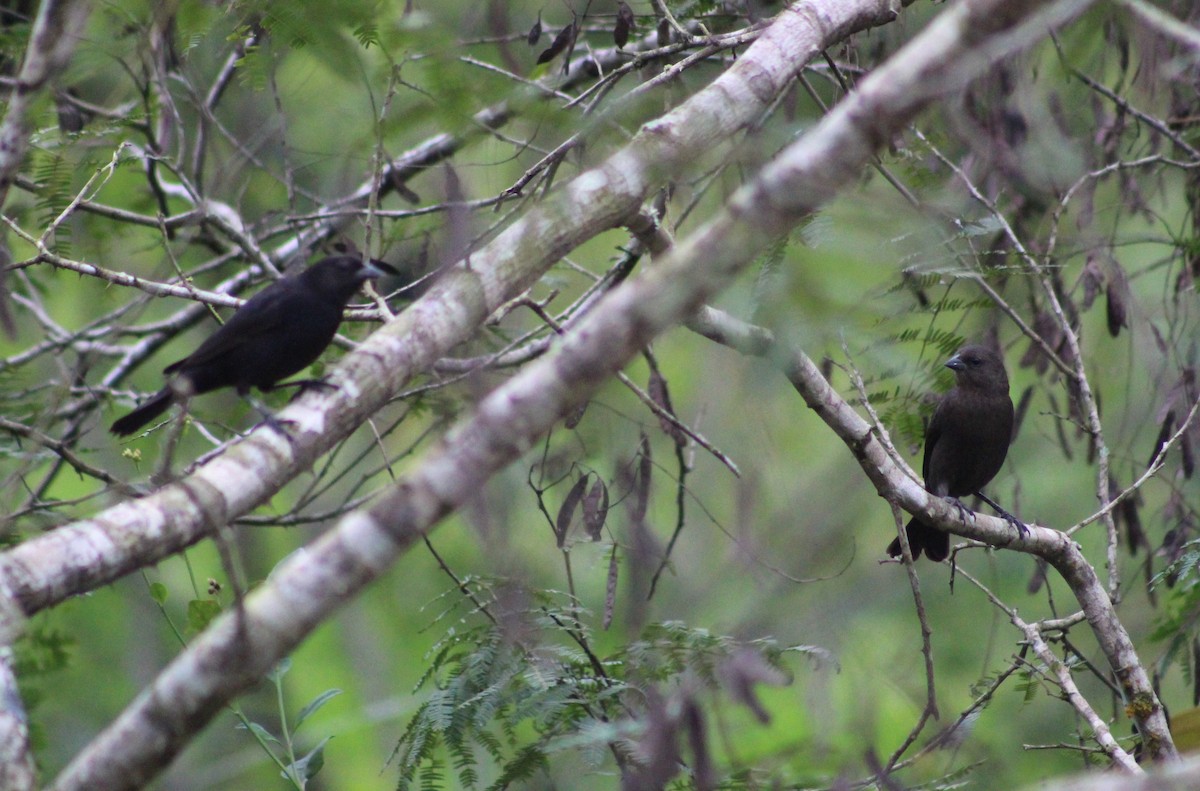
{"x": 278, "y": 333}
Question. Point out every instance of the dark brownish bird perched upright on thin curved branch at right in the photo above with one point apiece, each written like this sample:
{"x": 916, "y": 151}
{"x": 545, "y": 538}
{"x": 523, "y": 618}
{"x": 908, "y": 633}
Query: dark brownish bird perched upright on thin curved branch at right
{"x": 965, "y": 444}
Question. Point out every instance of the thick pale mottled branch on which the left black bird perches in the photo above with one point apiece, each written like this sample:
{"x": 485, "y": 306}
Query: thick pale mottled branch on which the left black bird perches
{"x": 93, "y": 553}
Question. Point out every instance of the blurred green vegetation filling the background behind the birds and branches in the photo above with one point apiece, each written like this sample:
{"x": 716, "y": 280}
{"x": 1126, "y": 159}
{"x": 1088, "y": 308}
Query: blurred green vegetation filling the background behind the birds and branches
{"x": 776, "y": 576}
